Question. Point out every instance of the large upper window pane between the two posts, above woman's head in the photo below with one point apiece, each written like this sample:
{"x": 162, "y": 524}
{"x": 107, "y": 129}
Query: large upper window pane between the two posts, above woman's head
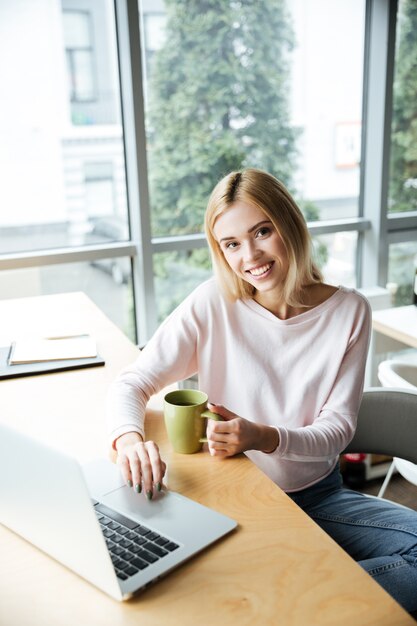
{"x": 262, "y": 84}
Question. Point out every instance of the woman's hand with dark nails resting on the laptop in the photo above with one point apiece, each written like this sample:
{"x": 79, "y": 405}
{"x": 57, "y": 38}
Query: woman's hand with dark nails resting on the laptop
{"x": 140, "y": 463}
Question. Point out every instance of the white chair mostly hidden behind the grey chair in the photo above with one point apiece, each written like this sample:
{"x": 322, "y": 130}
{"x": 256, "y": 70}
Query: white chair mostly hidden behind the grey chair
{"x": 401, "y": 375}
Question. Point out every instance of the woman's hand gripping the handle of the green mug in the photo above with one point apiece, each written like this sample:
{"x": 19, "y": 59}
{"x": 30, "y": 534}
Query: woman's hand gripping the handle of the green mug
{"x": 236, "y": 434}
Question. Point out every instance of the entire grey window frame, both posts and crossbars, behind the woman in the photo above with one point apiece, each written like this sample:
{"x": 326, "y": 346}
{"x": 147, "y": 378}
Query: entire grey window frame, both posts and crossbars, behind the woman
{"x": 376, "y": 229}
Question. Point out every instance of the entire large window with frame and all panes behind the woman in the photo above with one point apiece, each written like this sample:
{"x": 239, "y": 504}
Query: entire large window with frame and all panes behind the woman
{"x": 116, "y": 209}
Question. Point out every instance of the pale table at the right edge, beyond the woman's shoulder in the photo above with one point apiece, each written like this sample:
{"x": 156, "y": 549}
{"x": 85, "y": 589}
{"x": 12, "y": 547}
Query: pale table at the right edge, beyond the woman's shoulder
{"x": 399, "y": 323}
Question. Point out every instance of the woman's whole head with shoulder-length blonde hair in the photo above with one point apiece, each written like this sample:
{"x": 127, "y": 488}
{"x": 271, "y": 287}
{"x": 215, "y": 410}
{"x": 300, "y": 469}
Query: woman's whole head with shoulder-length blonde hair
{"x": 259, "y": 241}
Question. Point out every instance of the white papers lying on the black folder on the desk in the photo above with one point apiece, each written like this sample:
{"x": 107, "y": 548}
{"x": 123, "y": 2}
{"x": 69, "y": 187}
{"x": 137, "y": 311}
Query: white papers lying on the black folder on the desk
{"x": 52, "y": 349}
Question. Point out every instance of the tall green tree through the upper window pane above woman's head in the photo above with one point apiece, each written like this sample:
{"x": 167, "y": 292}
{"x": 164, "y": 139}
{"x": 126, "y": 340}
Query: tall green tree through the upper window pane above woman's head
{"x": 218, "y": 101}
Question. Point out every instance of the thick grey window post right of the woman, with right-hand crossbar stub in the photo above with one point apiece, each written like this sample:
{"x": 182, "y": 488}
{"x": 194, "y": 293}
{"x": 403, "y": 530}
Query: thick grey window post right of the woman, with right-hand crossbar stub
{"x": 380, "y": 34}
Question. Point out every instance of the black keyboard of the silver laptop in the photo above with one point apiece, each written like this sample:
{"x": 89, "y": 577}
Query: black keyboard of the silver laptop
{"x": 132, "y": 546}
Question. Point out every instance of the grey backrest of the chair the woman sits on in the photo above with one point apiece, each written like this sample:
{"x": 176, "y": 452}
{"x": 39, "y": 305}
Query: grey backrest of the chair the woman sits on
{"x": 387, "y": 423}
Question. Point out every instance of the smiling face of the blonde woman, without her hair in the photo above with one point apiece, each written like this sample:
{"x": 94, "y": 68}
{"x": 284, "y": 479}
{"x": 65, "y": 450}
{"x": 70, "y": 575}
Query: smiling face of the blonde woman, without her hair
{"x": 252, "y": 248}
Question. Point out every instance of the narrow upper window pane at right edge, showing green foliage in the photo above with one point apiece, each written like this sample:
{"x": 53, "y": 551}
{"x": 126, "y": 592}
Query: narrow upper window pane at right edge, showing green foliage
{"x": 402, "y": 193}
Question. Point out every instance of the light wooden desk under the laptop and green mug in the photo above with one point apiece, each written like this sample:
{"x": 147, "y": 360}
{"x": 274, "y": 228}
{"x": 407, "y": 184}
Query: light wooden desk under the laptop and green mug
{"x": 277, "y": 568}
